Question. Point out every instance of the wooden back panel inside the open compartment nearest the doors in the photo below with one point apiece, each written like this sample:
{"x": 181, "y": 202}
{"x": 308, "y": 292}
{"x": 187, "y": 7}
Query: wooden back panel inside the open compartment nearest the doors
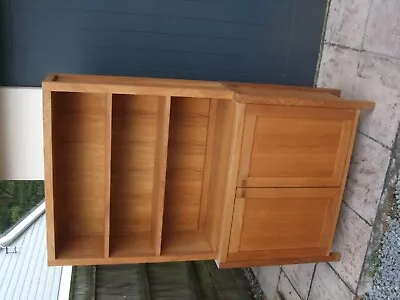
{"x": 185, "y": 164}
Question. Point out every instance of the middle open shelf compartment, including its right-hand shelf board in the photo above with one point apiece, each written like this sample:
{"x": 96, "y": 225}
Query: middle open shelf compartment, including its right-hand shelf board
{"x": 138, "y": 164}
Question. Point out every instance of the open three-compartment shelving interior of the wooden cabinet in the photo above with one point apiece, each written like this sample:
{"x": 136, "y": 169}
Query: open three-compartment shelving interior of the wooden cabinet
{"x": 130, "y": 175}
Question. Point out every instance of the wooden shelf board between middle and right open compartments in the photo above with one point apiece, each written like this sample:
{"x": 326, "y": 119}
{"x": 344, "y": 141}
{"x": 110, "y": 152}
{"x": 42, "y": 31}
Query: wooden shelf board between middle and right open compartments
{"x": 160, "y": 169}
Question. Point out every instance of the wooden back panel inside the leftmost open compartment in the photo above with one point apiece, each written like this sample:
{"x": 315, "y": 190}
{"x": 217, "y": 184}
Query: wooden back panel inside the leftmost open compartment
{"x": 79, "y": 126}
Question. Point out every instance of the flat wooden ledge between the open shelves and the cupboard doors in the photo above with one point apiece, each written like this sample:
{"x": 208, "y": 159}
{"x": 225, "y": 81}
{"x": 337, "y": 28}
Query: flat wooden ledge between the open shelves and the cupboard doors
{"x": 225, "y": 161}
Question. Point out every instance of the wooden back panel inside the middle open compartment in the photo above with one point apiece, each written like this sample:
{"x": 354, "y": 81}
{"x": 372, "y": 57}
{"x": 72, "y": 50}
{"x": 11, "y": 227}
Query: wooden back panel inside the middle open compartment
{"x": 134, "y": 132}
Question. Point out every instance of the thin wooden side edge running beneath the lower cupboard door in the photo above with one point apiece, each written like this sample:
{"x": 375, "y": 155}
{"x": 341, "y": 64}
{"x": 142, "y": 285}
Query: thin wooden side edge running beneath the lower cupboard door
{"x": 333, "y": 256}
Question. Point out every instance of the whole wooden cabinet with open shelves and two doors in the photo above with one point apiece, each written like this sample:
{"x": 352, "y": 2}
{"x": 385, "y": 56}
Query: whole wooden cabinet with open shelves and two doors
{"x": 155, "y": 170}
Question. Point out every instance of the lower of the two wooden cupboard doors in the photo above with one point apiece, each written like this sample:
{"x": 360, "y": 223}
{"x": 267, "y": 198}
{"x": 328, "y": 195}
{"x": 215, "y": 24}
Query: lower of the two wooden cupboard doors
{"x": 278, "y": 223}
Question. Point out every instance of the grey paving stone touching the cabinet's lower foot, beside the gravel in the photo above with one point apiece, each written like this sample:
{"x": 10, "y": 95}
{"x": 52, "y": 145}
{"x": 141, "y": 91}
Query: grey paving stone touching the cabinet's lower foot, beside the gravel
{"x": 351, "y": 240}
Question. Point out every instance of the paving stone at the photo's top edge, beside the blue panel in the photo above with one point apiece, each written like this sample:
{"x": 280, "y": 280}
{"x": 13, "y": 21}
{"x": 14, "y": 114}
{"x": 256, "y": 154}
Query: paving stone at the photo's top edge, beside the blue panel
{"x": 346, "y": 22}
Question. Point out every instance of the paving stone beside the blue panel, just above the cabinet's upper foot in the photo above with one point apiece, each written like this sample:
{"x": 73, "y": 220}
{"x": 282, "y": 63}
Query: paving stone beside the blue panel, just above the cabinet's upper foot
{"x": 338, "y": 69}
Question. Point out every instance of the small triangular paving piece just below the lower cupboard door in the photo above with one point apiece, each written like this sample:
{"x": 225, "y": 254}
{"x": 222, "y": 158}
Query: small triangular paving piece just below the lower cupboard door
{"x": 300, "y": 276}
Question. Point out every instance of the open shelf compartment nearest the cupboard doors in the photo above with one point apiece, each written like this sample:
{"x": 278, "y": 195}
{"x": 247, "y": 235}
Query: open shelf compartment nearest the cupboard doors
{"x": 187, "y": 180}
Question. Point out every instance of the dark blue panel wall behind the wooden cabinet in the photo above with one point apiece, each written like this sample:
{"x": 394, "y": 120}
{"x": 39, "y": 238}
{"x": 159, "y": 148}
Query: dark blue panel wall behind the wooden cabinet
{"x": 273, "y": 41}
